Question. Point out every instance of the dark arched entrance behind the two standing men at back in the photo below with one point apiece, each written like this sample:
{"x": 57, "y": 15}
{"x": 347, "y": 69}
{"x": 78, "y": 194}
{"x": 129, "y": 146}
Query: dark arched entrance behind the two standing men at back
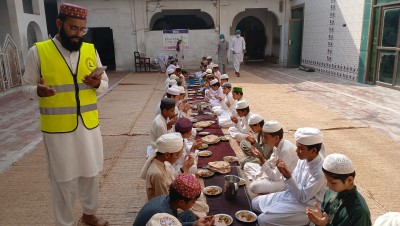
{"x": 253, "y": 31}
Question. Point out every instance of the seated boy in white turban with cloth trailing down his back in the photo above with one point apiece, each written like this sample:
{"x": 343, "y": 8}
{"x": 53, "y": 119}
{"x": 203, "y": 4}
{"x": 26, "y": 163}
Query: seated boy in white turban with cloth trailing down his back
{"x": 157, "y": 170}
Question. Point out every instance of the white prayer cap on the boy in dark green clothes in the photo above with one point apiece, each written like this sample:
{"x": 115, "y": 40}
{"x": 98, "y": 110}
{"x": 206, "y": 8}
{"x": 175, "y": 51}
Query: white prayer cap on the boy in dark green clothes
{"x": 338, "y": 163}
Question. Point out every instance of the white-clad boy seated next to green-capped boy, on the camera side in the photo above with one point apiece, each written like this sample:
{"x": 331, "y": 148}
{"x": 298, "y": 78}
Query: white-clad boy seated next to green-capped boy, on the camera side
{"x": 241, "y": 129}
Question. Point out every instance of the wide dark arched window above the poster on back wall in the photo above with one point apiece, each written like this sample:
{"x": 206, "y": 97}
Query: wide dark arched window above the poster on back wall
{"x": 181, "y": 19}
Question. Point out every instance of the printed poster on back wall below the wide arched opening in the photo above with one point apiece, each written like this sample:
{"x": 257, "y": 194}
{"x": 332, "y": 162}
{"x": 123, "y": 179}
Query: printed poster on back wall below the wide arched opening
{"x": 170, "y": 38}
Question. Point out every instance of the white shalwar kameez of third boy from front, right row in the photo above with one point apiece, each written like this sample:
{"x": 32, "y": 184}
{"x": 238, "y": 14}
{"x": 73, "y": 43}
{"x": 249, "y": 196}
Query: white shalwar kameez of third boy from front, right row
{"x": 267, "y": 178}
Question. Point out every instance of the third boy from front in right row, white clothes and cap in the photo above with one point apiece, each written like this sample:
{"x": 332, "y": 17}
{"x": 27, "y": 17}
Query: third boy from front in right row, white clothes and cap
{"x": 266, "y": 176}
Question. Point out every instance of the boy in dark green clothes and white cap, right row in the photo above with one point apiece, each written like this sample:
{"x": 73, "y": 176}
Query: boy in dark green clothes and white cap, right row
{"x": 343, "y": 204}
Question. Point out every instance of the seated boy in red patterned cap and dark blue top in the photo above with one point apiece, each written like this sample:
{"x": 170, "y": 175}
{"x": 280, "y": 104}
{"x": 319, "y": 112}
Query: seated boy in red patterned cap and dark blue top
{"x": 183, "y": 193}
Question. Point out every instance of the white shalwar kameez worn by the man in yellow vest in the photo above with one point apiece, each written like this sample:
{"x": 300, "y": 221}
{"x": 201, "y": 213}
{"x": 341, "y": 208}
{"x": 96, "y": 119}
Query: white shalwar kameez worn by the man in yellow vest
{"x": 74, "y": 159}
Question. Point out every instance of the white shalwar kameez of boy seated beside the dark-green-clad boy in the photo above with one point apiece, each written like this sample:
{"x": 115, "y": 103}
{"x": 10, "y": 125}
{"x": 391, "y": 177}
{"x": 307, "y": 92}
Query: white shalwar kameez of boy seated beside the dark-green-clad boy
{"x": 287, "y": 208}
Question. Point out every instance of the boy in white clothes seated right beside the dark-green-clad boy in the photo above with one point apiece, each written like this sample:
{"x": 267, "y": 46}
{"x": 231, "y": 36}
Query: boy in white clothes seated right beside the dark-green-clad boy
{"x": 305, "y": 186}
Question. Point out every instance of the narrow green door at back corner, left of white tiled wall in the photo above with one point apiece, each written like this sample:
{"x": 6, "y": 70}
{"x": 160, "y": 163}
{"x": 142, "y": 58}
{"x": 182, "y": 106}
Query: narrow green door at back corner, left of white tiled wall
{"x": 295, "y": 41}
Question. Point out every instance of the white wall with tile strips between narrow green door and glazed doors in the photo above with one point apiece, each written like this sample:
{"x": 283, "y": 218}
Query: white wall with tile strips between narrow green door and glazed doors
{"x": 345, "y": 36}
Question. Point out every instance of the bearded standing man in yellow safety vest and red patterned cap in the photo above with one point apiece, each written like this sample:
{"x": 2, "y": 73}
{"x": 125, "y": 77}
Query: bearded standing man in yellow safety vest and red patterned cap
{"x": 59, "y": 73}
